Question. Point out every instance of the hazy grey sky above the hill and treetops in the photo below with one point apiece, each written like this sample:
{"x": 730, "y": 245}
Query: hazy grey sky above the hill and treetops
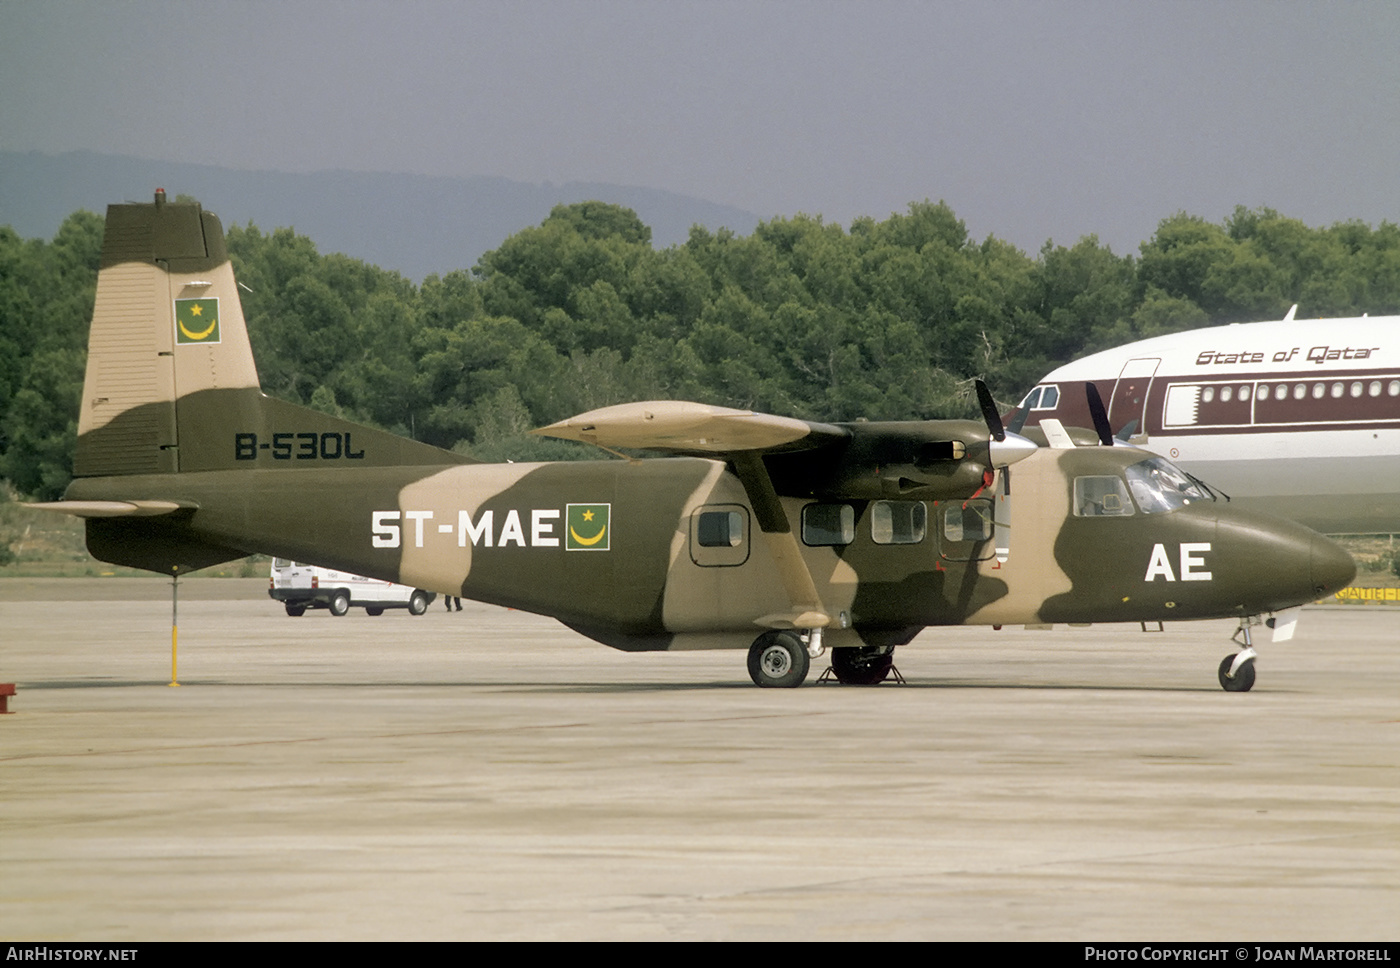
{"x": 1032, "y": 121}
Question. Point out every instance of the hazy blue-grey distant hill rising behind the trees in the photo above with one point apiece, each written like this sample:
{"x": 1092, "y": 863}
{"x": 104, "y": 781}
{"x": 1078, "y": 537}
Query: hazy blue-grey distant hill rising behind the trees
{"x": 418, "y": 225}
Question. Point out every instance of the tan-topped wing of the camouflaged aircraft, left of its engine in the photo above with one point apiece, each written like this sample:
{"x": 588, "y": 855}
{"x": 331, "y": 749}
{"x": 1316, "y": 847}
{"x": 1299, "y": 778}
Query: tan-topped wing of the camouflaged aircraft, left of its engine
{"x": 685, "y": 428}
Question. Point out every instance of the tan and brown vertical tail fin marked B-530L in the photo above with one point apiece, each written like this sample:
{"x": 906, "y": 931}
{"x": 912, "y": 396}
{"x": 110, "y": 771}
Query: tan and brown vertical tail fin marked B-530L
{"x": 171, "y": 385}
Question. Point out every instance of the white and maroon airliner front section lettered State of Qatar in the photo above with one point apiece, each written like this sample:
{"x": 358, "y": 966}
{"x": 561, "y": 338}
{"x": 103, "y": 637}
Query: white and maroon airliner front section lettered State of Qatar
{"x": 1298, "y": 417}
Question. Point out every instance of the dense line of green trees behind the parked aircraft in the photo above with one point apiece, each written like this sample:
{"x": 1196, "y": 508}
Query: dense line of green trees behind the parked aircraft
{"x": 883, "y": 320}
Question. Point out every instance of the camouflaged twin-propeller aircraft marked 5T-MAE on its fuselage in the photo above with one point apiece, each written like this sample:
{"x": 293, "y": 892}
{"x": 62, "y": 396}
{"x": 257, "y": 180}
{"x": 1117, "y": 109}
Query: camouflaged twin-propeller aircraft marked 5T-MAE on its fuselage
{"x": 778, "y": 536}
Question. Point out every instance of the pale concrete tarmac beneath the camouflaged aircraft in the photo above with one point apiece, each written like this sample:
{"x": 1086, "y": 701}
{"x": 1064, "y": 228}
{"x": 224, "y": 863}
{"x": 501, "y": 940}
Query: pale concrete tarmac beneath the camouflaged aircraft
{"x": 491, "y": 775}
